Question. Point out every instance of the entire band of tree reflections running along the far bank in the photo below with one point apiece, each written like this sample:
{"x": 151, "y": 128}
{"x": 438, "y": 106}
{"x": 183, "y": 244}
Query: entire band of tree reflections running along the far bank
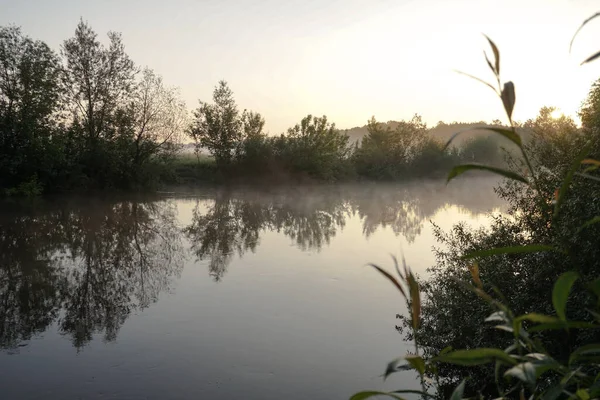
{"x": 84, "y": 266}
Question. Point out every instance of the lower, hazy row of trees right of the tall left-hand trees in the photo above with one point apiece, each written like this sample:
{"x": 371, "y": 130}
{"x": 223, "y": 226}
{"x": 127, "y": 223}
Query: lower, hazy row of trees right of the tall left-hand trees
{"x": 316, "y": 149}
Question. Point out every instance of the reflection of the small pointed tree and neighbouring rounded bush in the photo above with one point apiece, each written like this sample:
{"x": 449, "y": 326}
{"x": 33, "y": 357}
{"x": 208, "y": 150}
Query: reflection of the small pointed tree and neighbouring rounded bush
{"x": 234, "y": 221}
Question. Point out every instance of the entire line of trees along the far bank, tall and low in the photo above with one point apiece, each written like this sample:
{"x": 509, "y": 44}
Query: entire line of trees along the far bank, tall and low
{"x": 86, "y": 117}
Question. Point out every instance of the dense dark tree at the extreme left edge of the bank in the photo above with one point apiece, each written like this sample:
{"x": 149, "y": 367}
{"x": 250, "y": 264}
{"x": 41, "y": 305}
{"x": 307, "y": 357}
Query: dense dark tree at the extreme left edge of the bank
{"x": 29, "y": 106}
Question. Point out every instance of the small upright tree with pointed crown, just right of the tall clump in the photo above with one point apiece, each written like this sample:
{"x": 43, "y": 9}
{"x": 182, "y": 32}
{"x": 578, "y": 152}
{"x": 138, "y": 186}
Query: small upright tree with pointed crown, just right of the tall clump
{"x": 218, "y": 126}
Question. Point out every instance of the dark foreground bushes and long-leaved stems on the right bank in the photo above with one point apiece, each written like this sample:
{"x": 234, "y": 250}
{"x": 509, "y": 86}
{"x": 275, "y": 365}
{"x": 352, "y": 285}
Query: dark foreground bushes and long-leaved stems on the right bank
{"x": 532, "y": 269}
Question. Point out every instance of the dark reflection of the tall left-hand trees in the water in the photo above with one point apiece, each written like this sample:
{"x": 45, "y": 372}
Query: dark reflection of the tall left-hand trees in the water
{"x": 85, "y": 266}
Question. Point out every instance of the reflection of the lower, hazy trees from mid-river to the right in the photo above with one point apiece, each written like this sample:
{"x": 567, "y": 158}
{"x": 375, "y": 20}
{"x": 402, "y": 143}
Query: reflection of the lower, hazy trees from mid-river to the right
{"x": 233, "y": 222}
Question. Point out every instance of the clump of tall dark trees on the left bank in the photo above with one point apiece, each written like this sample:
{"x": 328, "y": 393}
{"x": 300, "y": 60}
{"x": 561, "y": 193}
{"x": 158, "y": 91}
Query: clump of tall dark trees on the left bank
{"x": 84, "y": 118}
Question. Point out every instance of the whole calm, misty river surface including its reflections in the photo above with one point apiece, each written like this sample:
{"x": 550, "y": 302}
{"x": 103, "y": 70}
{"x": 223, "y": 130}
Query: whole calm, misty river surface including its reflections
{"x": 215, "y": 294}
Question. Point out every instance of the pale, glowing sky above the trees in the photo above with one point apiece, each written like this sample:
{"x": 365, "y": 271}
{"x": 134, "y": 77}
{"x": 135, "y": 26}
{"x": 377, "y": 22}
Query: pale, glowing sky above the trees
{"x": 350, "y": 59}
